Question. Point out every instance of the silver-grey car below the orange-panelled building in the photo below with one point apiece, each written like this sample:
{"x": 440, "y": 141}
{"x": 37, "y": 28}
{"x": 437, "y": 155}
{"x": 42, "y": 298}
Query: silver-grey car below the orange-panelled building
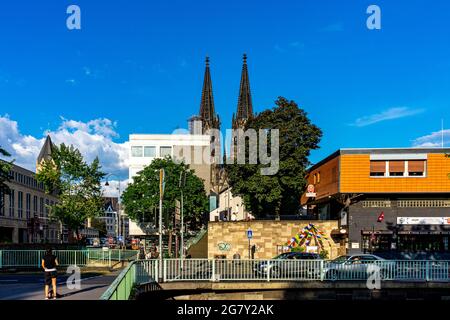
{"x": 356, "y": 267}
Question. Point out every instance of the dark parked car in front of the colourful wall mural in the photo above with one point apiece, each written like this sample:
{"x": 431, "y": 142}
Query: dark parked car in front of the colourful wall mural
{"x": 284, "y": 266}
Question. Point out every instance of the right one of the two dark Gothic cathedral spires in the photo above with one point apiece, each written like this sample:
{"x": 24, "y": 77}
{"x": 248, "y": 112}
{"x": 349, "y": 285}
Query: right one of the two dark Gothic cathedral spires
{"x": 245, "y": 107}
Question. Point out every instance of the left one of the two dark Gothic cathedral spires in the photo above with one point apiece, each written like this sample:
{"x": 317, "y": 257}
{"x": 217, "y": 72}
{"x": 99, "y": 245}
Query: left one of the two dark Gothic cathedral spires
{"x": 207, "y": 112}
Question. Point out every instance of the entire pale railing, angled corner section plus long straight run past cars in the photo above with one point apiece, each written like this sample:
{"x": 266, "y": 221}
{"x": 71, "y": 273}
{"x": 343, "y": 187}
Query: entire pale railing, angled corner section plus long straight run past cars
{"x": 142, "y": 272}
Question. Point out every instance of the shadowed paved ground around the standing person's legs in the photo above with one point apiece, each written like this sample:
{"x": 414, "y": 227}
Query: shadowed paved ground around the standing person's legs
{"x": 21, "y": 286}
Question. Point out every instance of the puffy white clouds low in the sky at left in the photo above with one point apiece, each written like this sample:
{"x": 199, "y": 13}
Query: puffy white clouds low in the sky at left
{"x": 93, "y": 138}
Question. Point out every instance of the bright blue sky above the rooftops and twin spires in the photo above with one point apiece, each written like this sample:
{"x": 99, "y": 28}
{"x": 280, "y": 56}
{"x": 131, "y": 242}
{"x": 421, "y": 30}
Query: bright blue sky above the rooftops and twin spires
{"x": 140, "y": 65}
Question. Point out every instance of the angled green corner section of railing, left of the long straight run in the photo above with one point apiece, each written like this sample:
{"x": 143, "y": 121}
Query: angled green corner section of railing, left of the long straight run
{"x": 137, "y": 273}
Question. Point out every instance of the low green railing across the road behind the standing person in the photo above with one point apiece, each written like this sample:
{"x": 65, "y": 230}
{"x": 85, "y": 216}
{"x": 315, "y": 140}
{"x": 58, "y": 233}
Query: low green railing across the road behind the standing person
{"x": 33, "y": 258}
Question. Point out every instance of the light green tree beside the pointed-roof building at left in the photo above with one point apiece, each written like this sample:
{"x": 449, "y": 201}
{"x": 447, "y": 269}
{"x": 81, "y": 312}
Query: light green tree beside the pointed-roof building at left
{"x": 77, "y": 185}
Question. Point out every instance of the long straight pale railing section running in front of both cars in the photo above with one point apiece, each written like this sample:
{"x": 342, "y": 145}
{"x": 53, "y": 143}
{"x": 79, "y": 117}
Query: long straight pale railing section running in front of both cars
{"x": 302, "y": 270}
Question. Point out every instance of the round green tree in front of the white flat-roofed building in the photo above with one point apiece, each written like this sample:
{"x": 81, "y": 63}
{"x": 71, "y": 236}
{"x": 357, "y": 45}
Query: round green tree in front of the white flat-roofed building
{"x": 141, "y": 198}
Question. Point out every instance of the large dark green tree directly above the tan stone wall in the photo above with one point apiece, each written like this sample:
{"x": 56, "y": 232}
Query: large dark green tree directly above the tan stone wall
{"x": 279, "y": 193}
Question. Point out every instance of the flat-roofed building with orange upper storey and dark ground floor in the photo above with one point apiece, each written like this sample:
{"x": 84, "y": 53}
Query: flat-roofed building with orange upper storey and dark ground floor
{"x": 386, "y": 200}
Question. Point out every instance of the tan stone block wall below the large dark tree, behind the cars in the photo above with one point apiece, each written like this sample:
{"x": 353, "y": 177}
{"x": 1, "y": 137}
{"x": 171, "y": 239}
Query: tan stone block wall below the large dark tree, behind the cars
{"x": 228, "y": 238}
